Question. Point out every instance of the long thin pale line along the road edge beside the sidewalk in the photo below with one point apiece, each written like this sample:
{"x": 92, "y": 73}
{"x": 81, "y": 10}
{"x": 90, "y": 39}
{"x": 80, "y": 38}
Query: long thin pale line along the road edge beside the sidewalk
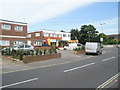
{"x": 49, "y": 65}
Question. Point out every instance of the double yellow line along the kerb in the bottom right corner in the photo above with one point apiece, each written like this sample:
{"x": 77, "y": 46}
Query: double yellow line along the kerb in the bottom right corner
{"x": 108, "y": 81}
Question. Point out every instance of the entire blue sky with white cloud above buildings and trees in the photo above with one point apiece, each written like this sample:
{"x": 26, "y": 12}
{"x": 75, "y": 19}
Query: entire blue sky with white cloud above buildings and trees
{"x": 64, "y": 15}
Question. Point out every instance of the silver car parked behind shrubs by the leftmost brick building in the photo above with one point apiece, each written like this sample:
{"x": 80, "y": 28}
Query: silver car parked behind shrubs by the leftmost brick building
{"x": 23, "y": 47}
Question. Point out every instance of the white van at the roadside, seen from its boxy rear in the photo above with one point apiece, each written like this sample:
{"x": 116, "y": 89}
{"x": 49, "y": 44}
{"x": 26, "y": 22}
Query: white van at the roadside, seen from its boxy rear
{"x": 93, "y": 47}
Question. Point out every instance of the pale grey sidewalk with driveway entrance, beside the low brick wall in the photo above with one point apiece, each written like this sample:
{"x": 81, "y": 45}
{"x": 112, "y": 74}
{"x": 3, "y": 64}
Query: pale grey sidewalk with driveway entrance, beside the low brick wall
{"x": 67, "y": 57}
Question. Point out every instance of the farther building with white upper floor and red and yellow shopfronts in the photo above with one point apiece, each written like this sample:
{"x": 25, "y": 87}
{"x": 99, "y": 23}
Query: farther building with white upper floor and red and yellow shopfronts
{"x": 53, "y": 38}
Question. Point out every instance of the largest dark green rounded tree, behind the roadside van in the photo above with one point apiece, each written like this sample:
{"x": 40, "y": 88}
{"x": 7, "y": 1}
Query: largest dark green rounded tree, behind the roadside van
{"x": 88, "y": 33}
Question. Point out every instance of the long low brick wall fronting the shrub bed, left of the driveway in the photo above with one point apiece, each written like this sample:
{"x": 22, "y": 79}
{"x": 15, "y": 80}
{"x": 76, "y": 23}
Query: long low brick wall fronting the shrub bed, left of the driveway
{"x": 28, "y": 59}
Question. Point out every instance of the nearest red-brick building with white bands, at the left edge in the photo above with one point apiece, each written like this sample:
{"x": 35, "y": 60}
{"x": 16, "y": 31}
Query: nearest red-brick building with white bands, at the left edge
{"x": 12, "y": 33}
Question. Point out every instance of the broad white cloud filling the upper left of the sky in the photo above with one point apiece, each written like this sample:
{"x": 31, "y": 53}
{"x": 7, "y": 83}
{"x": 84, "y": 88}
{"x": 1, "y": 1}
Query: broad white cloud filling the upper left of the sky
{"x": 32, "y": 11}
